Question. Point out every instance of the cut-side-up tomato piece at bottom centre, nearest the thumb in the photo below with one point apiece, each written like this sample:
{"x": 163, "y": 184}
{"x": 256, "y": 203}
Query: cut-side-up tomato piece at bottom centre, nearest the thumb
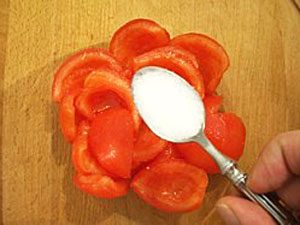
{"x": 172, "y": 186}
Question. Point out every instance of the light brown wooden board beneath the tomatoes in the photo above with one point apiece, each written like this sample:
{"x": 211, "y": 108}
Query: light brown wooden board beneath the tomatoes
{"x": 262, "y": 86}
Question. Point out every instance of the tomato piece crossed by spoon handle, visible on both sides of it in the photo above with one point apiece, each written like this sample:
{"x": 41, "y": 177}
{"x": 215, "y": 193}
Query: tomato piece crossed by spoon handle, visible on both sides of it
{"x": 226, "y": 131}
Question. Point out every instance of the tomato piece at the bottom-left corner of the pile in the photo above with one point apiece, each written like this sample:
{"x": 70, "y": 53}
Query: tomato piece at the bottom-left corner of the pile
{"x": 101, "y": 186}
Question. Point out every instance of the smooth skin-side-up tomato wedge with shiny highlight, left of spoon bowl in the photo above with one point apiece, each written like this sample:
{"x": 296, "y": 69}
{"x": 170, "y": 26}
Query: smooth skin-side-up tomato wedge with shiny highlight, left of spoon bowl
{"x": 111, "y": 141}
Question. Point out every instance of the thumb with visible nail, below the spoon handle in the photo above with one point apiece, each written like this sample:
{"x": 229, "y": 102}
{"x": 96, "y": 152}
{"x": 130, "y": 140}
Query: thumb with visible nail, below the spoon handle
{"x": 238, "y": 211}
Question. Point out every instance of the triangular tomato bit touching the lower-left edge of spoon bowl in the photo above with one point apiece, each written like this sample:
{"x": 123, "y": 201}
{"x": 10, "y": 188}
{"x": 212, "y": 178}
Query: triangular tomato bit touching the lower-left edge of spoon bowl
{"x": 147, "y": 145}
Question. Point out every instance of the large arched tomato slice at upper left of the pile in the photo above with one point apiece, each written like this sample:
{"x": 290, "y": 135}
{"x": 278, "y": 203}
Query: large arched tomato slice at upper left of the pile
{"x": 72, "y": 73}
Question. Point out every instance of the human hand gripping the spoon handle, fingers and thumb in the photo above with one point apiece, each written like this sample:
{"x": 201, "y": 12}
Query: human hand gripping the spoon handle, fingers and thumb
{"x": 277, "y": 169}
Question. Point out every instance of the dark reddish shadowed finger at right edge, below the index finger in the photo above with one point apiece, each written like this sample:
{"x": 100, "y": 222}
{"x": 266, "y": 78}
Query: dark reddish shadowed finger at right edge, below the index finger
{"x": 290, "y": 193}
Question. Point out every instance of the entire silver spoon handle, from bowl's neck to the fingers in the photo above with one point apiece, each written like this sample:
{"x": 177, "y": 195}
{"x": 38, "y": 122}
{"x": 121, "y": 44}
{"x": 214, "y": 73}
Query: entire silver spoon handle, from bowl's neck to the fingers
{"x": 274, "y": 206}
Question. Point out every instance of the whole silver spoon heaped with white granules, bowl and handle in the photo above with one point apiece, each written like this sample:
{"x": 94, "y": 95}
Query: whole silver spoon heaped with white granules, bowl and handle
{"x": 174, "y": 111}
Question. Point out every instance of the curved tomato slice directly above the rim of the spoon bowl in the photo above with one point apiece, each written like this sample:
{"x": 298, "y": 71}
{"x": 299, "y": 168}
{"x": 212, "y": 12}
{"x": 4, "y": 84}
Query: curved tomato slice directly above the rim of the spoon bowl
{"x": 175, "y": 59}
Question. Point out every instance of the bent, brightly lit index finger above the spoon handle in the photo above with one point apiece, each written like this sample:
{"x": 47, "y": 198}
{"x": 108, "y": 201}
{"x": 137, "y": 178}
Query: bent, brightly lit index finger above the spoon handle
{"x": 278, "y": 162}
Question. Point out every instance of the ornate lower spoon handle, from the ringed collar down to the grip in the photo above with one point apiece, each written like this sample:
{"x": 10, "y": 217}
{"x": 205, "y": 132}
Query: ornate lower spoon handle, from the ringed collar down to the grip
{"x": 270, "y": 202}
